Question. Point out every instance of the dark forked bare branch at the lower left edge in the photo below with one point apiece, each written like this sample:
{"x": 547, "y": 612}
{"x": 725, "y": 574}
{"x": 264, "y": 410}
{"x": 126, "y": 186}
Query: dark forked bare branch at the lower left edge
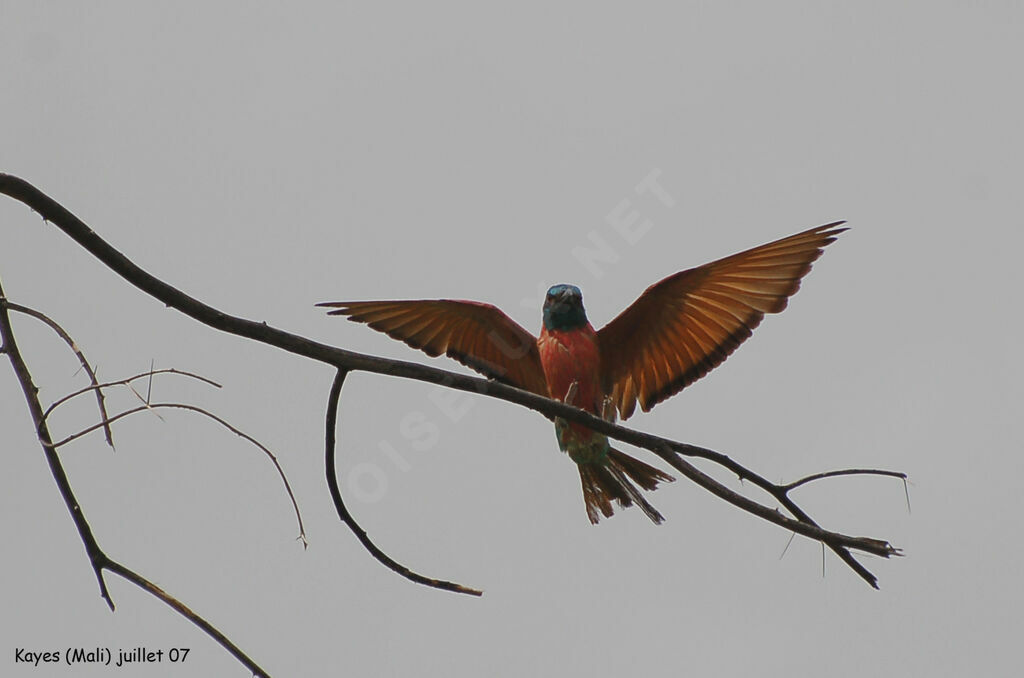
{"x": 98, "y": 559}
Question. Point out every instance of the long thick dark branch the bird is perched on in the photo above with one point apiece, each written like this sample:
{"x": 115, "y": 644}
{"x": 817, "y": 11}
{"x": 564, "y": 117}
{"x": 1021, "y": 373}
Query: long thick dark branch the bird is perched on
{"x": 670, "y": 451}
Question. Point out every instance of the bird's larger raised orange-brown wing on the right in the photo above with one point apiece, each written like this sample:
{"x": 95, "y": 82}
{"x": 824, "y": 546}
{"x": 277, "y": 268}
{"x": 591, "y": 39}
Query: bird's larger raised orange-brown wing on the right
{"x": 690, "y": 323}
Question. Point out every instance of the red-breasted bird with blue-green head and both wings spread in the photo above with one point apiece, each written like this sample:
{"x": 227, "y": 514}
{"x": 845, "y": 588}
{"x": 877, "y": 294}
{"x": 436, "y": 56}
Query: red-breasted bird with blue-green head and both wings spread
{"x": 674, "y": 334}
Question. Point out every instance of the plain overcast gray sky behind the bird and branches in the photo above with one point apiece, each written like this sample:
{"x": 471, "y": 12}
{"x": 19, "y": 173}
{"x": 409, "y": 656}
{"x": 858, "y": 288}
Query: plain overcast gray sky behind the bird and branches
{"x": 268, "y": 159}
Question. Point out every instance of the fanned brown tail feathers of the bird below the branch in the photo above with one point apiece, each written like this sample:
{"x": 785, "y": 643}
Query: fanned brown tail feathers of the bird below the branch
{"x": 604, "y": 483}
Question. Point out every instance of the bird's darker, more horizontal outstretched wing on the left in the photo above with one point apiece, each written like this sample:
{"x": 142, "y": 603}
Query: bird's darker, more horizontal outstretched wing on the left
{"x": 478, "y": 335}
